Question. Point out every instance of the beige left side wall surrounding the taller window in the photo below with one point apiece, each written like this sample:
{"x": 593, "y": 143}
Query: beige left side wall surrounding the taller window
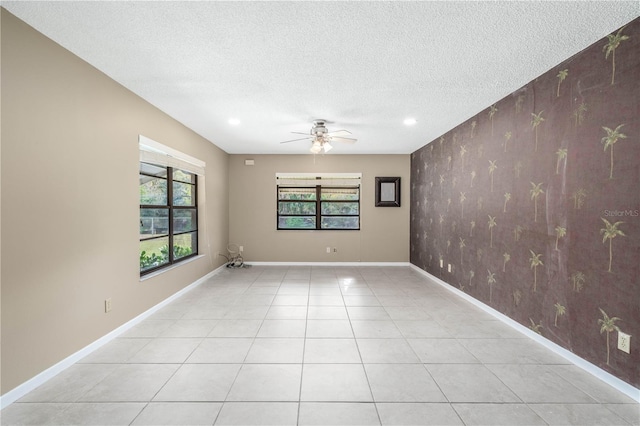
{"x": 69, "y": 203}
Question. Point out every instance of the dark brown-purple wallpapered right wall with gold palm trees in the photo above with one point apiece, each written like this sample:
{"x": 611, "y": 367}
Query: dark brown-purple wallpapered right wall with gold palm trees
{"x": 546, "y": 205}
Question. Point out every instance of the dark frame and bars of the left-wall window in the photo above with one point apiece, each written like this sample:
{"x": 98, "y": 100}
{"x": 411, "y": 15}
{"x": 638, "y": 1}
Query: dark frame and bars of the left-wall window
{"x": 171, "y": 209}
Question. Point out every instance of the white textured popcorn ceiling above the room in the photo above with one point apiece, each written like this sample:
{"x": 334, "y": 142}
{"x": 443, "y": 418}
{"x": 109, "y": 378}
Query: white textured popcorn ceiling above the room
{"x": 363, "y": 66}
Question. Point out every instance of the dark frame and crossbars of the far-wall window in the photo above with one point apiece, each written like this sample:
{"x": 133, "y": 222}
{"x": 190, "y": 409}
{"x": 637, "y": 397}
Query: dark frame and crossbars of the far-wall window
{"x": 318, "y": 202}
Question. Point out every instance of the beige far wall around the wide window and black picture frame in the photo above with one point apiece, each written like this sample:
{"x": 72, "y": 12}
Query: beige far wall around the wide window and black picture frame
{"x": 384, "y": 234}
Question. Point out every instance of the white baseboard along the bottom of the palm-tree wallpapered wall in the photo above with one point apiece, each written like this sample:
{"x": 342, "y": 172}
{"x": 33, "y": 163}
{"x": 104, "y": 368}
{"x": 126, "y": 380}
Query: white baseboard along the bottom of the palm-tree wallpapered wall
{"x": 596, "y": 371}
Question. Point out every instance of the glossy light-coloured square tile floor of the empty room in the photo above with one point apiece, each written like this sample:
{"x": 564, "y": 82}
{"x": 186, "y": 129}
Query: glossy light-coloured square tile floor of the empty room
{"x": 271, "y": 345}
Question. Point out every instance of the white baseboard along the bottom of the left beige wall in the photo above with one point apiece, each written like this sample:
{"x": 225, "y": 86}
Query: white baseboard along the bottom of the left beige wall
{"x": 26, "y": 387}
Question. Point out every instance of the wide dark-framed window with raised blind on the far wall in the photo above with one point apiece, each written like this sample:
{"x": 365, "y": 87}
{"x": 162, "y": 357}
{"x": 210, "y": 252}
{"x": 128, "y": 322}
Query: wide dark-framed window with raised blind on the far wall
{"x": 323, "y": 206}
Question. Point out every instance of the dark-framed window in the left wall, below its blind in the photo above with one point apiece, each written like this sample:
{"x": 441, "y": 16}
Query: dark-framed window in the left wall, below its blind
{"x": 168, "y": 216}
